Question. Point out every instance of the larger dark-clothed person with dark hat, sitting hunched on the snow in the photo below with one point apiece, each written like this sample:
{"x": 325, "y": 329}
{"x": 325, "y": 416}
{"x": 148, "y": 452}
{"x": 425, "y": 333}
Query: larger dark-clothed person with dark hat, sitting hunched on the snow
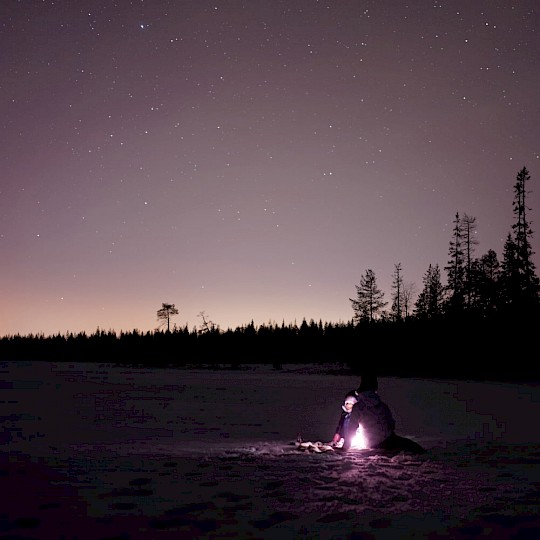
{"x": 377, "y": 421}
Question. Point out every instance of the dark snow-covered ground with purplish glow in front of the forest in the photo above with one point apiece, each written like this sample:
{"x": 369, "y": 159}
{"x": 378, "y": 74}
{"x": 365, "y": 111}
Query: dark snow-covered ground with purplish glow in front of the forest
{"x": 96, "y": 451}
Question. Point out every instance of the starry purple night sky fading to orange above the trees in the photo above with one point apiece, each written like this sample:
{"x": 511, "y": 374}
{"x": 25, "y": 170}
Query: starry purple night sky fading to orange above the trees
{"x": 252, "y": 159}
